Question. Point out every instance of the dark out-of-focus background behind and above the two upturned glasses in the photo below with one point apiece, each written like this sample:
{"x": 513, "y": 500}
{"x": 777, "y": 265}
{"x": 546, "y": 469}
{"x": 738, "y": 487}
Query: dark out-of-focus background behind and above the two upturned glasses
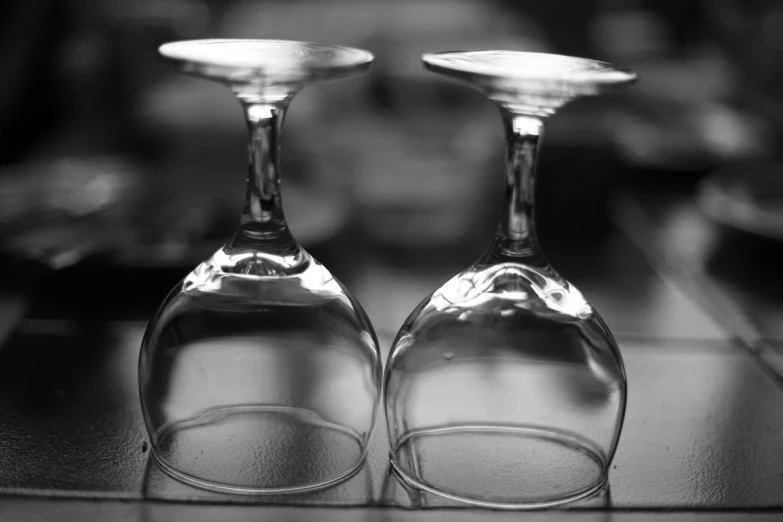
{"x": 118, "y": 175}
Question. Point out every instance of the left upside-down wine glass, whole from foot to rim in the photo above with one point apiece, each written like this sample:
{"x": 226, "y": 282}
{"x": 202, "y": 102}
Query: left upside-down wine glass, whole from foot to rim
{"x": 260, "y": 373}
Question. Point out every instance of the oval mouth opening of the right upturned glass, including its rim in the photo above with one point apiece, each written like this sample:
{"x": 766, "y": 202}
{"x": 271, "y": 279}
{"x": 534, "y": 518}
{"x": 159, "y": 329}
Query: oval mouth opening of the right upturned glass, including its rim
{"x": 501, "y": 467}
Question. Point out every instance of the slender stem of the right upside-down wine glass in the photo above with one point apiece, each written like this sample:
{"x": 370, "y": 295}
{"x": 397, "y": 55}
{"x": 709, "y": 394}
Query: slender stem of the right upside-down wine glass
{"x": 516, "y": 232}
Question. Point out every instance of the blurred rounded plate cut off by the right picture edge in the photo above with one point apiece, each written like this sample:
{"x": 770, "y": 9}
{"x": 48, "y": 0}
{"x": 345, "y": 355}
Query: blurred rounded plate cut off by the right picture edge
{"x": 745, "y": 197}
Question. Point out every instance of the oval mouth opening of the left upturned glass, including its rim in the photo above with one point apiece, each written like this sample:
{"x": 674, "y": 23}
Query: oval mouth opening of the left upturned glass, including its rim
{"x": 249, "y": 449}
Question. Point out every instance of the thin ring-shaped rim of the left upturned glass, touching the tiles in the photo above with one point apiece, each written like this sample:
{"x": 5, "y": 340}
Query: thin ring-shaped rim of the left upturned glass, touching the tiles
{"x": 261, "y": 491}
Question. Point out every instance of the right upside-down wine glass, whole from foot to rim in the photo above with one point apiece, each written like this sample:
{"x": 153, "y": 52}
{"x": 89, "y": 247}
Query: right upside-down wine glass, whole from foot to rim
{"x": 504, "y": 388}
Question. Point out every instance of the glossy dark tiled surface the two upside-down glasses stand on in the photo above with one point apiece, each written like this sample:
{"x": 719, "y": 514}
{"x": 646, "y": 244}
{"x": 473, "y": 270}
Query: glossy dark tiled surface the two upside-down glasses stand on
{"x": 703, "y": 431}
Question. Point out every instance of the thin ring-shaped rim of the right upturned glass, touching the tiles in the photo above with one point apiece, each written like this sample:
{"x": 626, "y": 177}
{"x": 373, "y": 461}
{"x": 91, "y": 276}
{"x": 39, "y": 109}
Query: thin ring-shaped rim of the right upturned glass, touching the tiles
{"x": 561, "y": 436}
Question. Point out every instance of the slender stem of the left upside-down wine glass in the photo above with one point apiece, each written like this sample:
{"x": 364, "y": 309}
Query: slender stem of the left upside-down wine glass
{"x": 263, "y": 225}
